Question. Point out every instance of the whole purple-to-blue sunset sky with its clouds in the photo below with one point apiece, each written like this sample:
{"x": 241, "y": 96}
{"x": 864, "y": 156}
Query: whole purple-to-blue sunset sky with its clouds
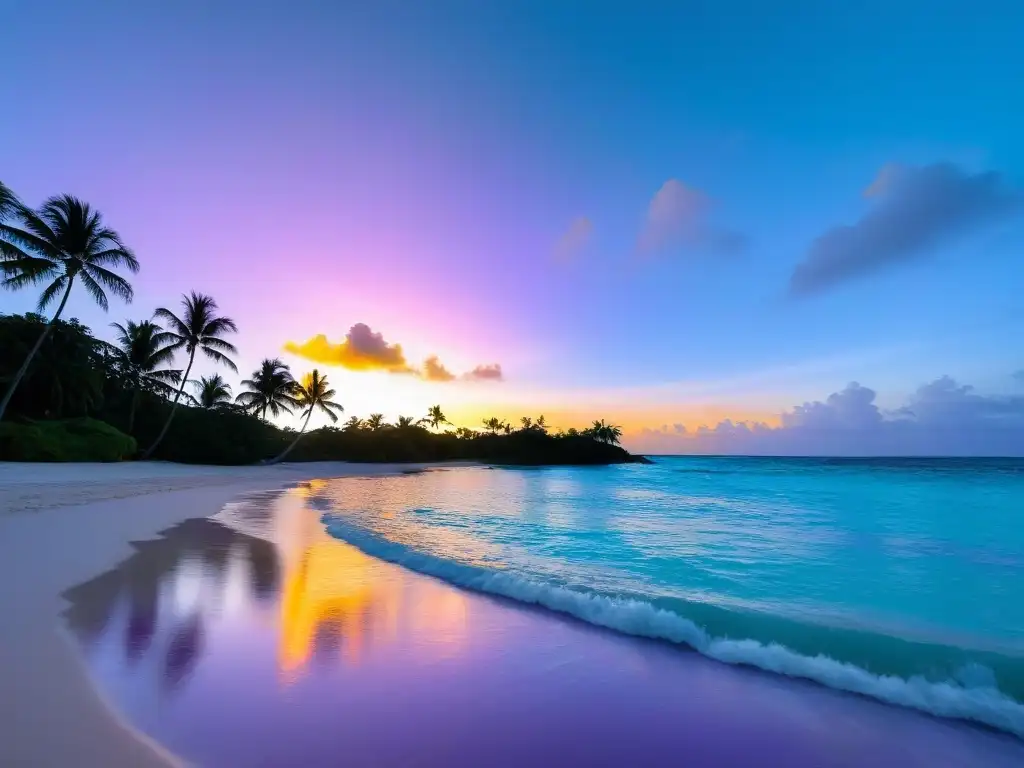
{"x": 726, "y": 228}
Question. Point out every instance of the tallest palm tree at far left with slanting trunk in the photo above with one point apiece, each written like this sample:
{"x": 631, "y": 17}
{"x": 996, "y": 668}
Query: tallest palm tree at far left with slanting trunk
{"x": 65, "y": 241}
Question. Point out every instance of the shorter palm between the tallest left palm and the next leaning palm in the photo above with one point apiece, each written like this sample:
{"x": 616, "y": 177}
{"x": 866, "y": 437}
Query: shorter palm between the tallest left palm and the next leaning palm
{"x": 140, "y": 353}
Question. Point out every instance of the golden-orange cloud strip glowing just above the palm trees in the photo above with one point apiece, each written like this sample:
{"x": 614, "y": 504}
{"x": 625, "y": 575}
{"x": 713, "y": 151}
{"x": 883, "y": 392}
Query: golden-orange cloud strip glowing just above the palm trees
{"x": 362, "y": 350}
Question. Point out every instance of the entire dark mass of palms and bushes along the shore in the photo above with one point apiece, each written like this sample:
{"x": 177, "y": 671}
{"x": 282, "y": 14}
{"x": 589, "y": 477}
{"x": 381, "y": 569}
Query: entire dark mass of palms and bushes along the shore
{"x": 71, "y": 397}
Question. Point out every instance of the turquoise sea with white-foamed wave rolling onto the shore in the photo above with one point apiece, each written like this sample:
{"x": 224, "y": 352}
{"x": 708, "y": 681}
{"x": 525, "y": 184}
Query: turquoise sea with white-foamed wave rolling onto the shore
{"x": 902, "y": 580}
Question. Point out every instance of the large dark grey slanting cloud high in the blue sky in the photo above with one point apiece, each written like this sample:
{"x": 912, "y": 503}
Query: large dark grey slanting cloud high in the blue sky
{"x": 915, "y": 210}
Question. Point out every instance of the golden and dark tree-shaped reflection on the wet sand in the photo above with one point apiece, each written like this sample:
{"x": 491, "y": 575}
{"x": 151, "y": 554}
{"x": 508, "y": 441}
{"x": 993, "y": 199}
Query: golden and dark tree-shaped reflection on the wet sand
{"x": 265, "y": 563}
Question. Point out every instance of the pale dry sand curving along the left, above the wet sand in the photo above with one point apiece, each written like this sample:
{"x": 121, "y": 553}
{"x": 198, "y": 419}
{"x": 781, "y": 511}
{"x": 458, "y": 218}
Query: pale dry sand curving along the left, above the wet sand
{"x": 61, "y": 525}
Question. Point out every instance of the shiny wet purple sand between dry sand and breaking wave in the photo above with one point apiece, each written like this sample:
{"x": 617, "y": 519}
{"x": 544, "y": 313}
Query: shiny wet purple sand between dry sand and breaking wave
{"x": 257, "y": 639}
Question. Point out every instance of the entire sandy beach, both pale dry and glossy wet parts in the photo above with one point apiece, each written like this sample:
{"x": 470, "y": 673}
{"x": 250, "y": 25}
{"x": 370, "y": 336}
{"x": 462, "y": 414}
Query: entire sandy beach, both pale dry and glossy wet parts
{"x": 143, "y": 633}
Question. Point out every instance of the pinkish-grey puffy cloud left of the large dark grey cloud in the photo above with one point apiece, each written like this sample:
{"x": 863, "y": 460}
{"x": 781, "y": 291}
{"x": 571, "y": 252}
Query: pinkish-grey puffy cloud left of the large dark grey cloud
{"x": 678, "y": 217}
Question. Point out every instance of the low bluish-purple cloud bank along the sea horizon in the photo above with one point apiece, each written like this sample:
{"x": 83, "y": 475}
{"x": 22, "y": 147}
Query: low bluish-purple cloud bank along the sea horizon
{"x": 942, "y": 418}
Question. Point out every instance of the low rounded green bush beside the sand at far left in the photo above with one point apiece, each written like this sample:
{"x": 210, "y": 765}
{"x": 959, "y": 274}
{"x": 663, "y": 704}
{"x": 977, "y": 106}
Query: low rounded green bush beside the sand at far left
{"x": 70, "y": 441}
